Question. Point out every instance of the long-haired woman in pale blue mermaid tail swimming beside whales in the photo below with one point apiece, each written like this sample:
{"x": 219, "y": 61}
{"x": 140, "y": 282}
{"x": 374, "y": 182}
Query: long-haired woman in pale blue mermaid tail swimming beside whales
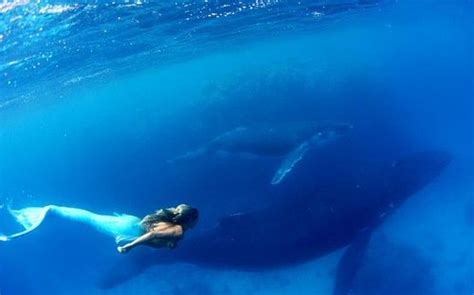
{"x": 164, "y": 228}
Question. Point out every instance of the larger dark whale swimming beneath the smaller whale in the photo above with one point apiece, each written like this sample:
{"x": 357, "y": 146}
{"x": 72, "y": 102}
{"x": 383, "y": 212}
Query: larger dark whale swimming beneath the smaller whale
{"x": 310, "y": 225}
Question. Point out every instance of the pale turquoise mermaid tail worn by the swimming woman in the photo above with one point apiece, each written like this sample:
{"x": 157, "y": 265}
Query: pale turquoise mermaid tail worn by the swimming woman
{"x": 122, "y": 227}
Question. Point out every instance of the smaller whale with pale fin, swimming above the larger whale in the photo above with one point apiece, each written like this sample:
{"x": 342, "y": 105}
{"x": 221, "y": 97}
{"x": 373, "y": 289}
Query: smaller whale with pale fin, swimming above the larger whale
{"x": 290, "y": 141}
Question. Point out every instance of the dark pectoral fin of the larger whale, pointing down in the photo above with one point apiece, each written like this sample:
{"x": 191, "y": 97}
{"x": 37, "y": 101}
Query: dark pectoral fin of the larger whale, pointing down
{"x": 350, "y": 263}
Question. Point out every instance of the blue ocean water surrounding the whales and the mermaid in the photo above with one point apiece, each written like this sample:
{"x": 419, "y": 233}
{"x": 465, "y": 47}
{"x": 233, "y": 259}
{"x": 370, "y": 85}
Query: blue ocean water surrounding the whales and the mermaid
{"x": 96, "y": 97}
